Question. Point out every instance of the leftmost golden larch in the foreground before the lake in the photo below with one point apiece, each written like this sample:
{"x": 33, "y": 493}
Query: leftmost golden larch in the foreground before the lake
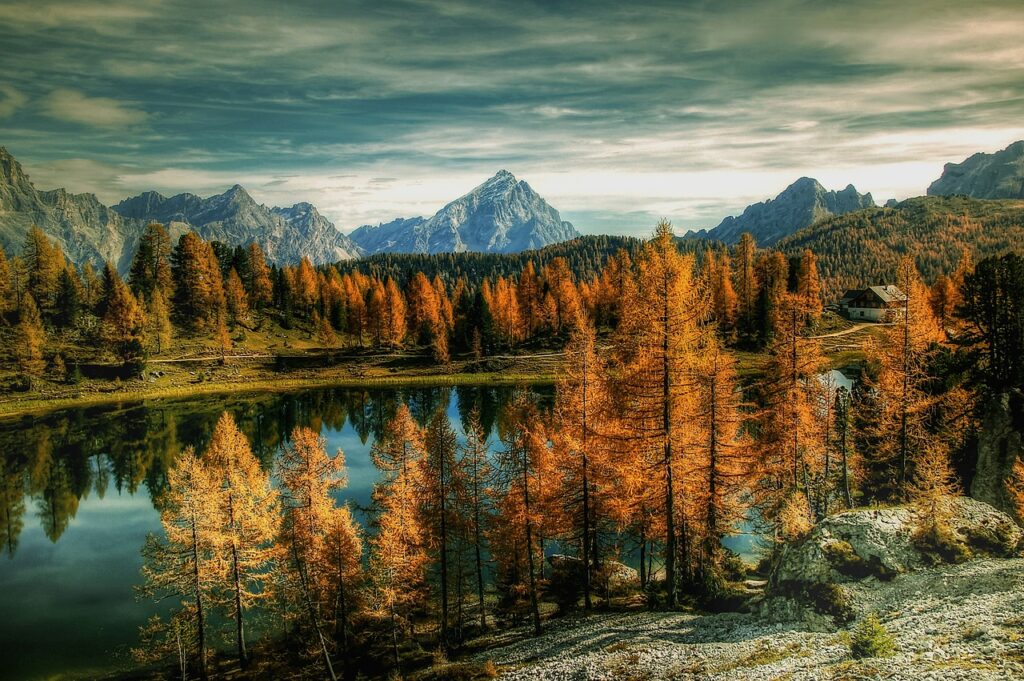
{"x": 183, "y": 565}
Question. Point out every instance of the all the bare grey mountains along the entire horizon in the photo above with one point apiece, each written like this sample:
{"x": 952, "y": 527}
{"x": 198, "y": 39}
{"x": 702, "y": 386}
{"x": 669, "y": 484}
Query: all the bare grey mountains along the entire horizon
{"x": 502, "y": 216}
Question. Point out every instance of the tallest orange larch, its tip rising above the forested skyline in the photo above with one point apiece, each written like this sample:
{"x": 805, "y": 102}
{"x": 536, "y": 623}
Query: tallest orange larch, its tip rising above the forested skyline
{"x": 656, "y": 340}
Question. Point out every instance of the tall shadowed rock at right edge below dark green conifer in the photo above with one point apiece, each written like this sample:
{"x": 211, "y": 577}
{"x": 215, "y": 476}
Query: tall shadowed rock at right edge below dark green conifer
{"x": 1001, "y": 444}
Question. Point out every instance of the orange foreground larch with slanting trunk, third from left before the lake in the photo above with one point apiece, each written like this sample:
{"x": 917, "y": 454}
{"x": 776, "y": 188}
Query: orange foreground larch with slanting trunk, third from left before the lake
{"x": 309, "y": 477}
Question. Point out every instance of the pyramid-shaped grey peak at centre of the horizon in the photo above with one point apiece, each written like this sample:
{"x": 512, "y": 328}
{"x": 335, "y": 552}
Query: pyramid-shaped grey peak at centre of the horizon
{"x": 503, "y": 216}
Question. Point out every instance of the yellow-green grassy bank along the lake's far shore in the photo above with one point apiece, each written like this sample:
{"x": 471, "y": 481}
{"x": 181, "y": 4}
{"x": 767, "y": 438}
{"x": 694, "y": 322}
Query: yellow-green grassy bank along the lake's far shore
{"x": 193, "y": 368}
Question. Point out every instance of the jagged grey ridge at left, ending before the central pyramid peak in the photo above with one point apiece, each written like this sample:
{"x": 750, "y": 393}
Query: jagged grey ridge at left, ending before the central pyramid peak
{"x": 89, "y": 231}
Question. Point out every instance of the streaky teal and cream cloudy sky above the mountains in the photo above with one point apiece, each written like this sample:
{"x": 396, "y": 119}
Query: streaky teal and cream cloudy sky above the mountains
{"x": 617, "y": 113}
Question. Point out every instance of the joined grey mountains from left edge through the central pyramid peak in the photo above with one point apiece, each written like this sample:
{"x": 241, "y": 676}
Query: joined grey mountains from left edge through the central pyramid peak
{"x": 503, "y": 216}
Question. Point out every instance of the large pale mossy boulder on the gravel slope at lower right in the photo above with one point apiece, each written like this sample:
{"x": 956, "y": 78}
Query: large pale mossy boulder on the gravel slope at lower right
{"x": 813, "y": 580}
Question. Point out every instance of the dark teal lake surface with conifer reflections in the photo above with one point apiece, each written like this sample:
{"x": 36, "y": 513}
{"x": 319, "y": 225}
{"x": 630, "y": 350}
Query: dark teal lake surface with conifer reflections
{"x": 76, "y": 492}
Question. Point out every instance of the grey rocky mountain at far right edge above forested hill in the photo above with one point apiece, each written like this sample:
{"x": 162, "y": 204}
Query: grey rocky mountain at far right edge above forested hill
{"x": 999, "y": 176}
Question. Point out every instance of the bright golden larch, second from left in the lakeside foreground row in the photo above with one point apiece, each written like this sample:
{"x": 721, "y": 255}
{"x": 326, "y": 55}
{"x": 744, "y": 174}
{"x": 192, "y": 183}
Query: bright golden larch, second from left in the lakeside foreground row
{"x": 247, "y": 517}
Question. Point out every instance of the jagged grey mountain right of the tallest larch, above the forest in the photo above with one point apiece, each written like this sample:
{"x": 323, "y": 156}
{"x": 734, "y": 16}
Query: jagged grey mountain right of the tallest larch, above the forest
{"x": 800, "y": 205}
